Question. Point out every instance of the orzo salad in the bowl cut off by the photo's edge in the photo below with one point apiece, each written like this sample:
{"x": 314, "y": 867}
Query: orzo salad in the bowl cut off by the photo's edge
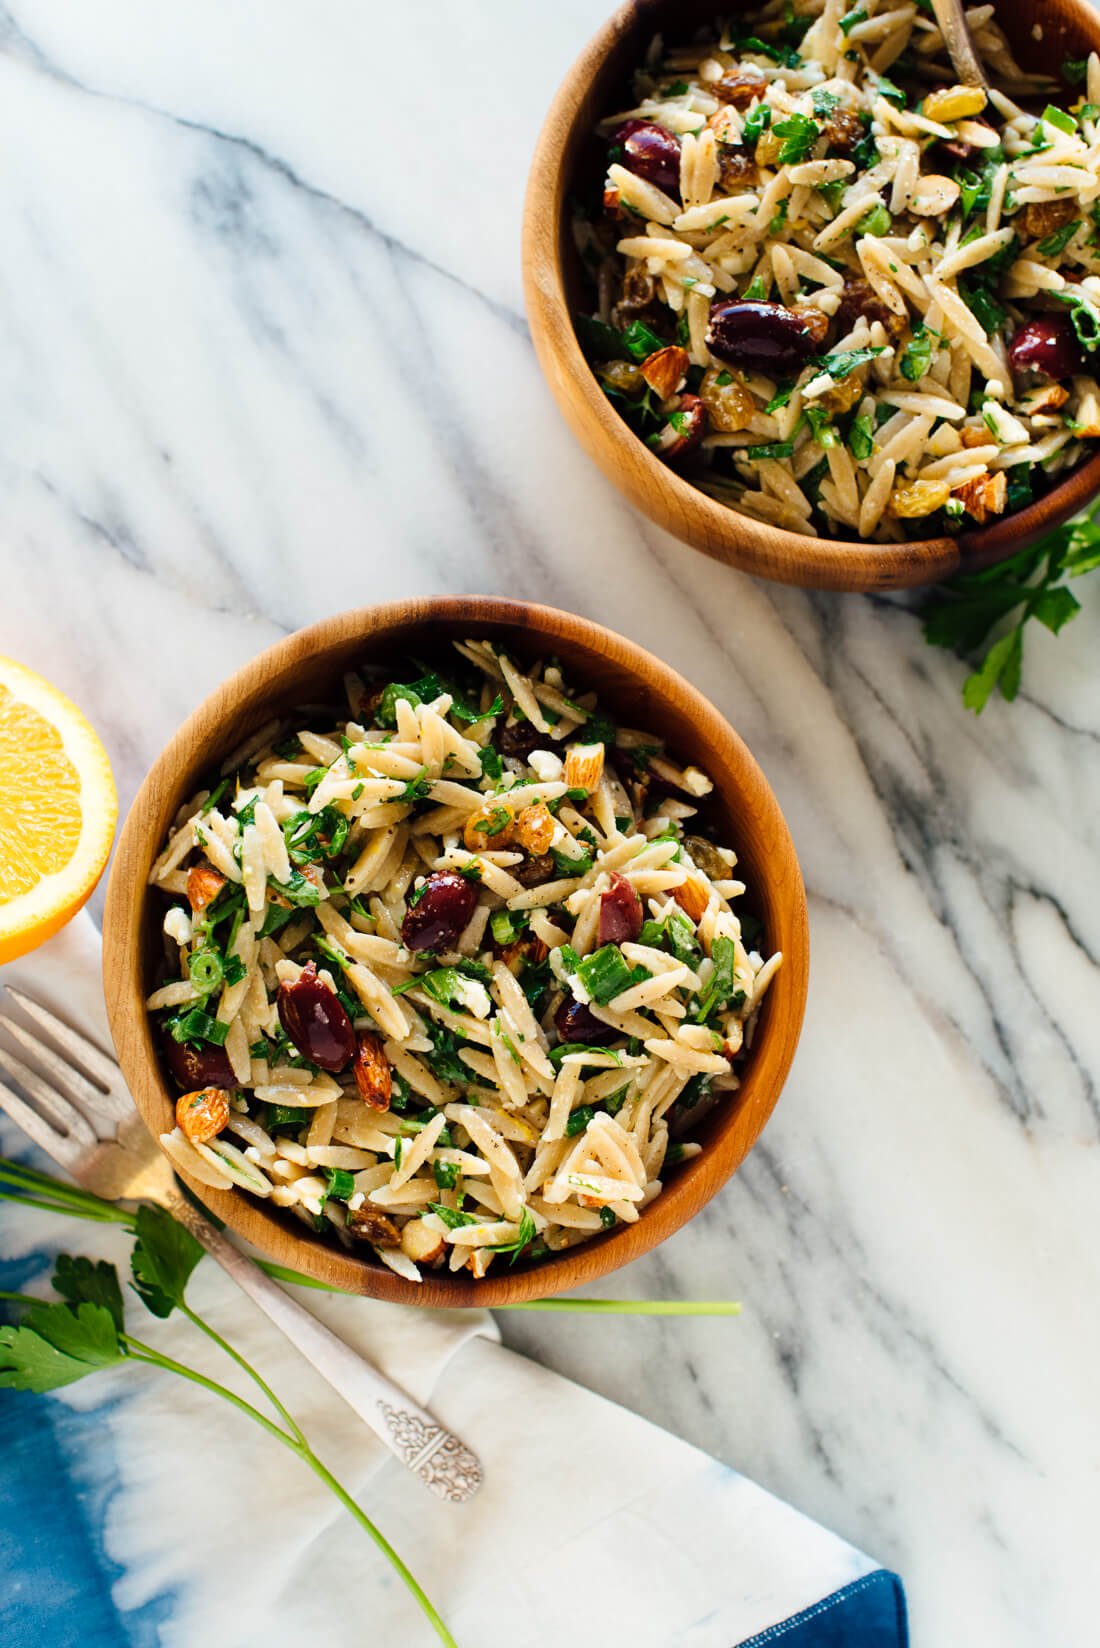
{"x": 845, "y": 294}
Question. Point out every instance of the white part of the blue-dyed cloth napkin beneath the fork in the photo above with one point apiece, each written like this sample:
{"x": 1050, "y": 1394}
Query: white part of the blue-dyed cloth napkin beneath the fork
{"x": 593, "y": 1529}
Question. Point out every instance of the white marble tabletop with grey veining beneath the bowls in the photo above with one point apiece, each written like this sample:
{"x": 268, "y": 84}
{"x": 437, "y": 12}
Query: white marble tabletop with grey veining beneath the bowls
{"x": 263, "y": 355}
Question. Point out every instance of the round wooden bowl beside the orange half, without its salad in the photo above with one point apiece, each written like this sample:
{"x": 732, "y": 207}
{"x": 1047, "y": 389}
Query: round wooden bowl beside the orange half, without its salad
{"x": 636, "y": 686}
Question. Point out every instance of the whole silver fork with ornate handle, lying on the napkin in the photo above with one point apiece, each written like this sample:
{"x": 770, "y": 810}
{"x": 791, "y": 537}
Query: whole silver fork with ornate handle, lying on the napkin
{"x": 75, "y": 1105}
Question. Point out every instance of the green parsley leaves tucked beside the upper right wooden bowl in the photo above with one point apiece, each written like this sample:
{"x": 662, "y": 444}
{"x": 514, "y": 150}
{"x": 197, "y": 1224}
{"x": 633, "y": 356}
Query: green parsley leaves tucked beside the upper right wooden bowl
{"x": 1030, "y": 586}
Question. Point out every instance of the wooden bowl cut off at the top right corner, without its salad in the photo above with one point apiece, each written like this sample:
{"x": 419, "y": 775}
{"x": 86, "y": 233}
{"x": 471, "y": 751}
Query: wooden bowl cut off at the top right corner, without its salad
{"x": 568, "y": 161}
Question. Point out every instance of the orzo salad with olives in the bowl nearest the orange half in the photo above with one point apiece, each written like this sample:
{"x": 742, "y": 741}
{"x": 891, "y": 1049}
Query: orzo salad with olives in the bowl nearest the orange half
{"x": 448, "y": 970}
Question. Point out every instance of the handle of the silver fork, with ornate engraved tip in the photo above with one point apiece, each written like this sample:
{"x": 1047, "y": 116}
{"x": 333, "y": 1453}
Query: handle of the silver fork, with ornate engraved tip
{"x": 431, "y": 1453}
